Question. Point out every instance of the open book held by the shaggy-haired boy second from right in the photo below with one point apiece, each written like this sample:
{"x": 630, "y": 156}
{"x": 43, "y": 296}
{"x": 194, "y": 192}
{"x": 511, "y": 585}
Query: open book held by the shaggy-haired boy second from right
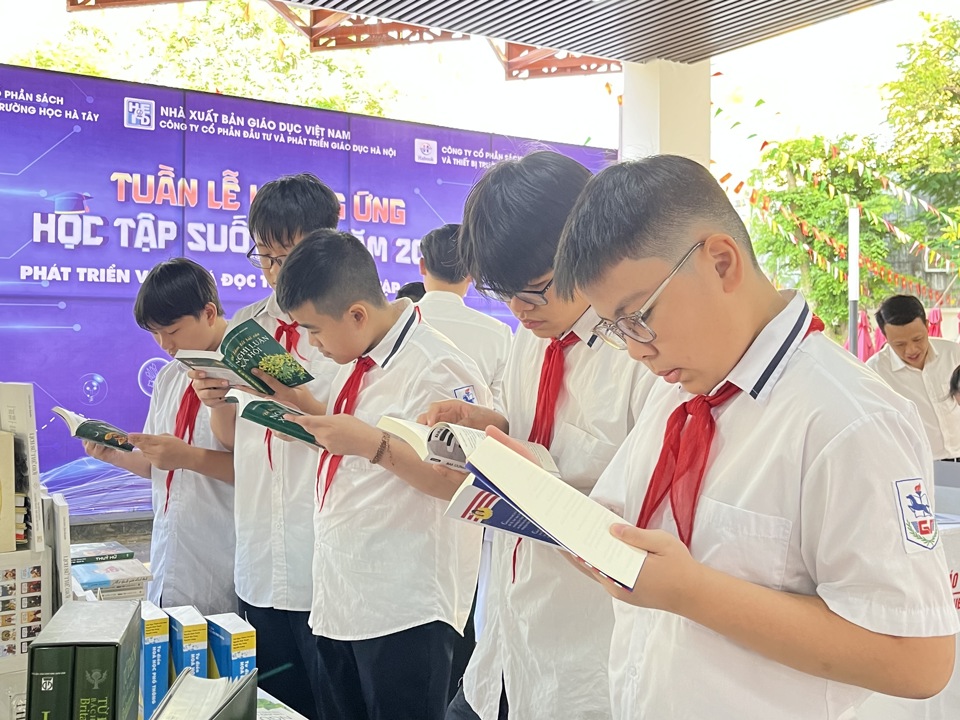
{"x": 450, "y": 445}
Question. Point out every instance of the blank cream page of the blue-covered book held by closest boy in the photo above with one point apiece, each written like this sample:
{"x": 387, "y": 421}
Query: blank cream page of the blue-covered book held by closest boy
{"x": 573, "y": 519}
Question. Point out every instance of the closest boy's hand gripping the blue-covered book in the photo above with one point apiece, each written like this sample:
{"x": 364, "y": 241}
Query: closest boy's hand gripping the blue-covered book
{"x": 669, "y": 578}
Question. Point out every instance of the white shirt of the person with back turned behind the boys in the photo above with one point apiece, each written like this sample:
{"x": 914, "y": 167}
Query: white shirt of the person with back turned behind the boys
{"x": 480, "y": 336}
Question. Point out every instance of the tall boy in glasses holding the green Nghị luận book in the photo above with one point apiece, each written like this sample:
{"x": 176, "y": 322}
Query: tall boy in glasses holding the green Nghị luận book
{"x": 274, "y": 510}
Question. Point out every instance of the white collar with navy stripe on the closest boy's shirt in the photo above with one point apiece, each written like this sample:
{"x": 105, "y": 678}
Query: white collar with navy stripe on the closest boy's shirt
{"x": 764, "y": 361}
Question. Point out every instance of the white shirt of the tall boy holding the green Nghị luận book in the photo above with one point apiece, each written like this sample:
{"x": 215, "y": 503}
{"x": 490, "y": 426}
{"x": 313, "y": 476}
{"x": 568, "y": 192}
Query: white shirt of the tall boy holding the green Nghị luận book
{"x": 274, "y": 506}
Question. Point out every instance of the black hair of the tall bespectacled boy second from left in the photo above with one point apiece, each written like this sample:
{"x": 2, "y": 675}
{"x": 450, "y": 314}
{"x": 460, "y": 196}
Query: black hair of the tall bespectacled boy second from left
{"x": 286, "y": 209}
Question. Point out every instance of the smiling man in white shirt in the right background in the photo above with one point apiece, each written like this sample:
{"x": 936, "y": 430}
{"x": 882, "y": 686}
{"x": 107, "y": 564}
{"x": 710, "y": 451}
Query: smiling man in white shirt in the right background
{"x": 919, "y": 367}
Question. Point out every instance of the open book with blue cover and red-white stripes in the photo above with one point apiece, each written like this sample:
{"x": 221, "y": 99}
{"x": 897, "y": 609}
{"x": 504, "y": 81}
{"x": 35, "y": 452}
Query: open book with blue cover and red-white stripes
{"x": 508, "y": 492}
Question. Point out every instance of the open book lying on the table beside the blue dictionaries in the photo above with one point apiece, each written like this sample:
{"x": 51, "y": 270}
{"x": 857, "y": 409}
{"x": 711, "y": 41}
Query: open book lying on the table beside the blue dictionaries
{"x": 193, "y": 698}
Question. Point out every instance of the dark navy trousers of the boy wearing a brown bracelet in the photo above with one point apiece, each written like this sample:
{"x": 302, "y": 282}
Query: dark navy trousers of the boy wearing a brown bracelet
{"x": 402, "y": 676}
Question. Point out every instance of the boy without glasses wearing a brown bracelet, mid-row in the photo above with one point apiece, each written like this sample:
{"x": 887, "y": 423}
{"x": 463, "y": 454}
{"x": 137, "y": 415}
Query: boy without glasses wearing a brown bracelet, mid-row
{"x": 393, "y": 580}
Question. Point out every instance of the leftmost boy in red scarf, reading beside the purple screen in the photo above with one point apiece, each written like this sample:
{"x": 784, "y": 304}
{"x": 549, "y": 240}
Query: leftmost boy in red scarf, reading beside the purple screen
{"x": 192, "y": 545}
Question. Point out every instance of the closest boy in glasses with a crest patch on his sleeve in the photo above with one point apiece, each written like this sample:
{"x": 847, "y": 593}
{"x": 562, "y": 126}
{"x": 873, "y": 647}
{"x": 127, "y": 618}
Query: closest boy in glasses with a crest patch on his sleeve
{"x": 794, "y": 563}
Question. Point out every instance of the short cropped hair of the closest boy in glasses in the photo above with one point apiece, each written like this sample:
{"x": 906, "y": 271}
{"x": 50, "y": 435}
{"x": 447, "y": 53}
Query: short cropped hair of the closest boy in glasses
{"x": 639, "y": 209}
